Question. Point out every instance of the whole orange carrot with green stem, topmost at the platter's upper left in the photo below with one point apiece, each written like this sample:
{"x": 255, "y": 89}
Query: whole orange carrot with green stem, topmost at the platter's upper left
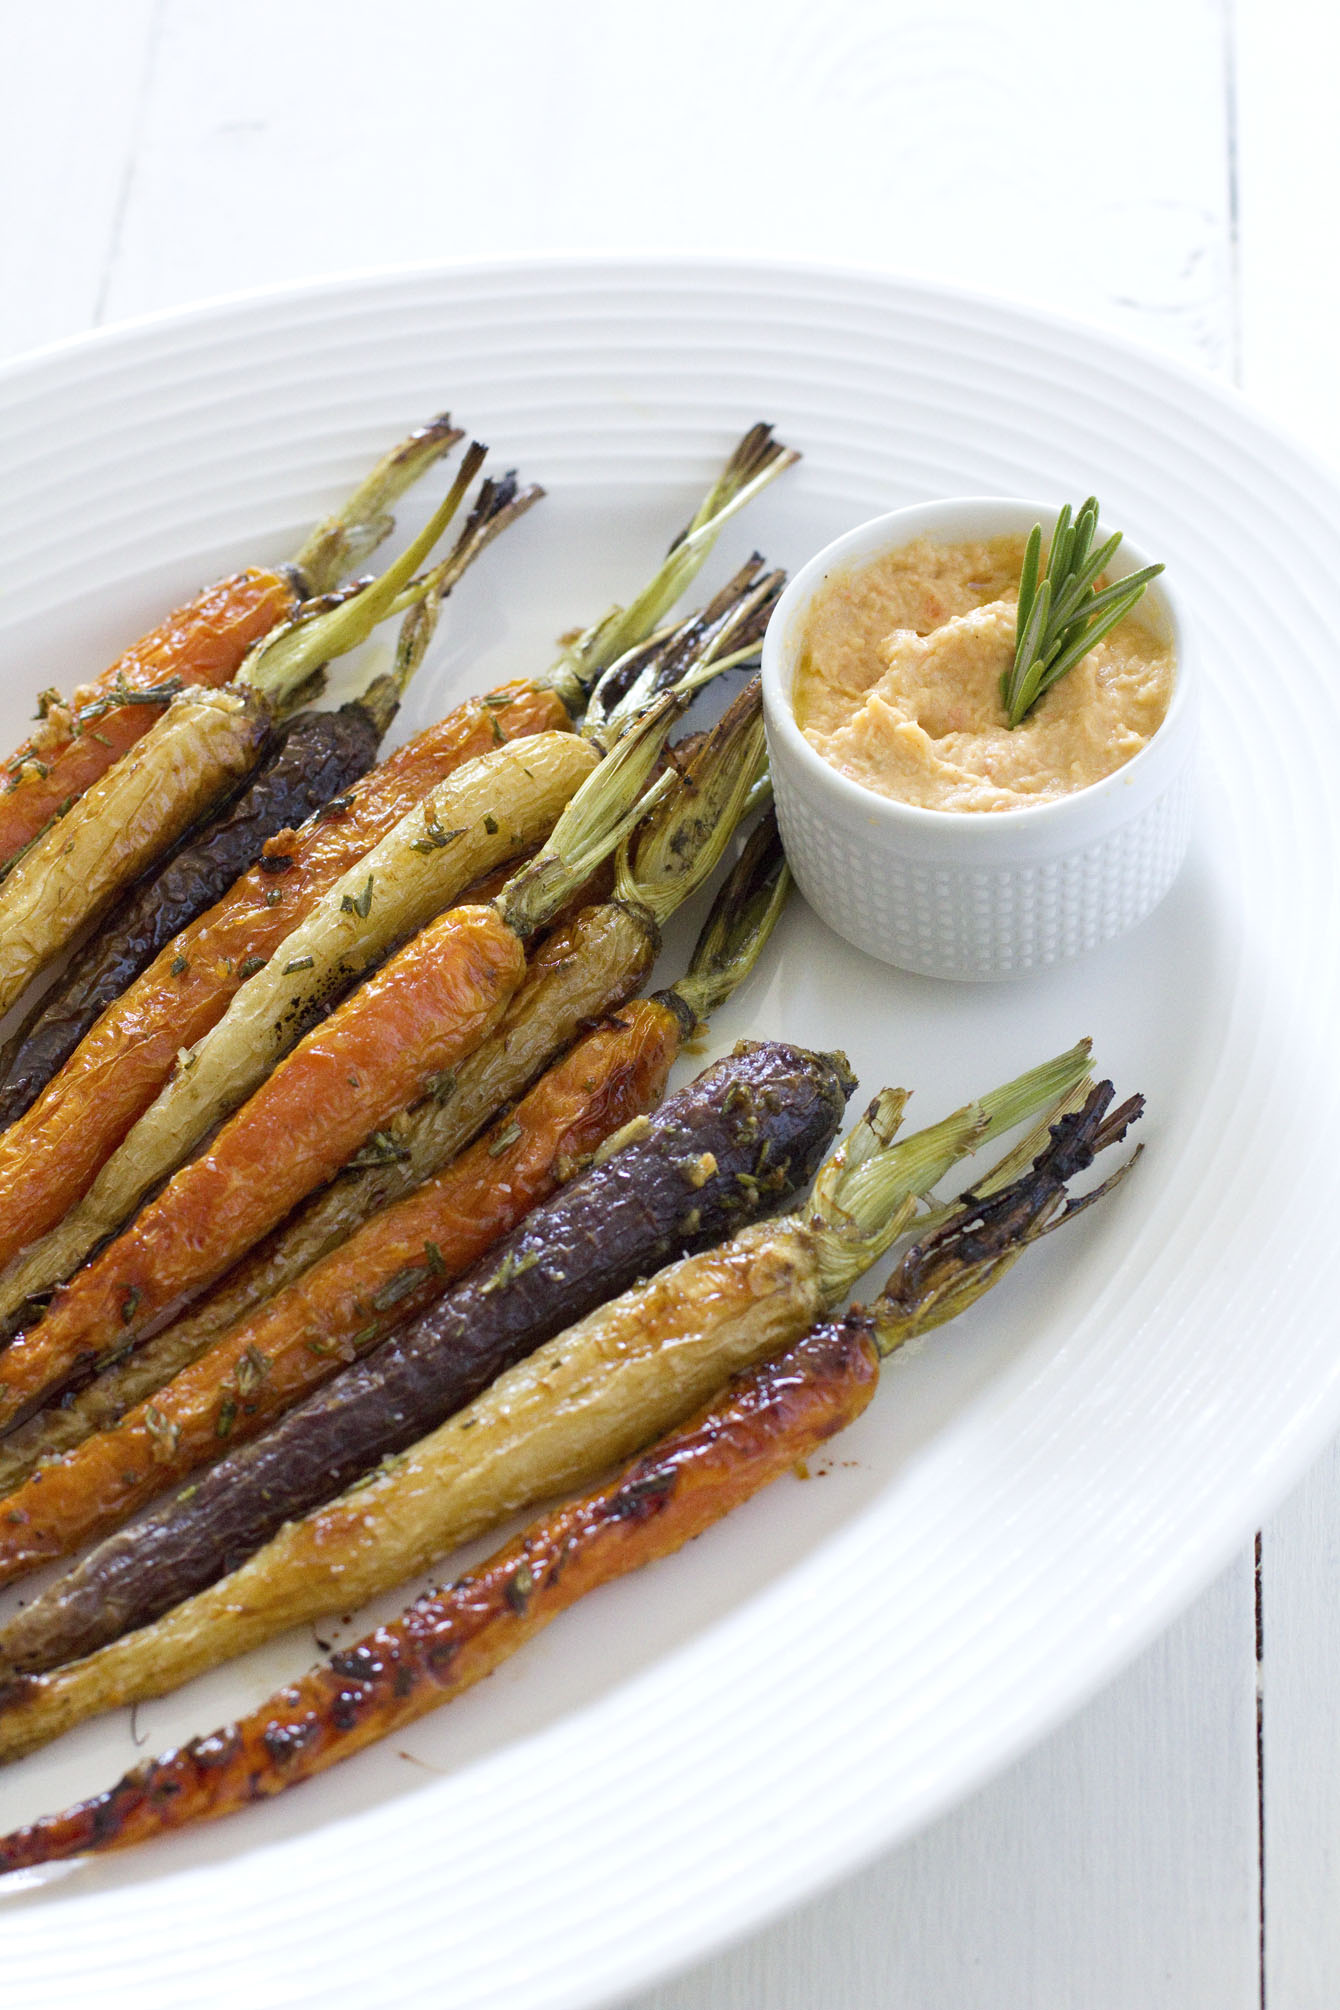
{"x": 204, "y": 642}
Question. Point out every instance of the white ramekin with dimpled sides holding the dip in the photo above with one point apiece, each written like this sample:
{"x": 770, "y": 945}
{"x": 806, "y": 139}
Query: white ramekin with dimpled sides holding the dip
{"x": 993, "y": 893}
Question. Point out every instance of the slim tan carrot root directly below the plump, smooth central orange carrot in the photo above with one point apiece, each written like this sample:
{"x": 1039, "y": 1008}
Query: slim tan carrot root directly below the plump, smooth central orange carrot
{"x": 584, "y": 972}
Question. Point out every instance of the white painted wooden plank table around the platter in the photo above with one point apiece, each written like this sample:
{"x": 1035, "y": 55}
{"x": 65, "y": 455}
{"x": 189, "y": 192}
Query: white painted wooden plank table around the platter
{"x": 1168, "y": 170}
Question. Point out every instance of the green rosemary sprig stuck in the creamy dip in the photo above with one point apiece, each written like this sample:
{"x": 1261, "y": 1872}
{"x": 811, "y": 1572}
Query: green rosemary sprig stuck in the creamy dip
{"x": 1062, "y": 614}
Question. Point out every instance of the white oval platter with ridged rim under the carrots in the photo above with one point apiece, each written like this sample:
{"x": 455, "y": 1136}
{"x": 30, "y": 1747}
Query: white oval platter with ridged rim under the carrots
{"x": 1040, "y": 1488}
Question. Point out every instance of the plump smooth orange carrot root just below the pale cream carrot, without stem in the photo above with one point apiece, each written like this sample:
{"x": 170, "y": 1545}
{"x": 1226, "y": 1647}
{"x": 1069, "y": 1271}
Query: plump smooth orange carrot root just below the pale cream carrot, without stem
{"x": 377, "y": 1052}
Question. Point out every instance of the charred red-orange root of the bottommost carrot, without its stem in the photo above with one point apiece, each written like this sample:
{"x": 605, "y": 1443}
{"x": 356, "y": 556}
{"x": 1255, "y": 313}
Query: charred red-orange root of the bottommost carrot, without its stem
{"x": 746, "y": 1438}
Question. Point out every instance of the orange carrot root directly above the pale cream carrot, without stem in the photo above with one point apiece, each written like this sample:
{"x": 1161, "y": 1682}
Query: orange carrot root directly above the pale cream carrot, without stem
{"x": 55, "y": 1151}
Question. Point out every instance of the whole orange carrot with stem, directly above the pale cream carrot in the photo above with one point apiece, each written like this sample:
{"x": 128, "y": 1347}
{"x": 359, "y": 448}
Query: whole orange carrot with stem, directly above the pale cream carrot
{"x": 55, "y": 1151}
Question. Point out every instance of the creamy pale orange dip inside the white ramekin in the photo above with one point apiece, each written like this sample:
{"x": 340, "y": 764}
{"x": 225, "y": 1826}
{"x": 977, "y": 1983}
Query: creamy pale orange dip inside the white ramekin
{"x": 899, "y": 684}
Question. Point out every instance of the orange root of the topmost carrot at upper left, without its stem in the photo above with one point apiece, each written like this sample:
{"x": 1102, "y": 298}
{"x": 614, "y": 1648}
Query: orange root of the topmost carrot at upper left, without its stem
{"x": 204, "y": 642}
